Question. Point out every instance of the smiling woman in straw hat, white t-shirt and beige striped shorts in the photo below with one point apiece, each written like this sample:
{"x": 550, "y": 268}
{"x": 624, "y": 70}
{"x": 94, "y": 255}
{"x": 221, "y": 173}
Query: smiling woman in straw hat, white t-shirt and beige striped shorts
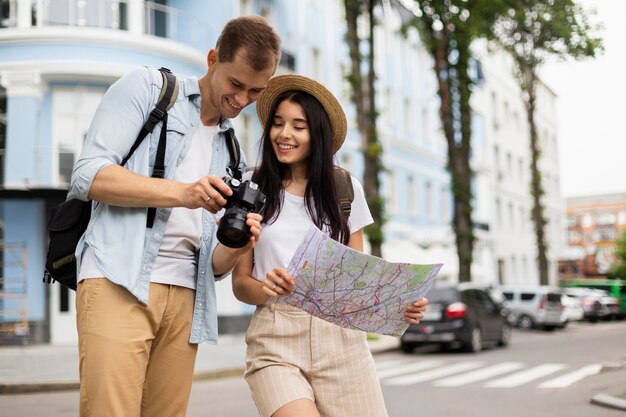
{"x": 298, "y": 364}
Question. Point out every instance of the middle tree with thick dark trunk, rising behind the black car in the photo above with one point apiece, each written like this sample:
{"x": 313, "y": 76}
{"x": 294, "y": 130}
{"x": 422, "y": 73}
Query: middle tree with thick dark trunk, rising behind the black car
{"x": 447, "y": 29}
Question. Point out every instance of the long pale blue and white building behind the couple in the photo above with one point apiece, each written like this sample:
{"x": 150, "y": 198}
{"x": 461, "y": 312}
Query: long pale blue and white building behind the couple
{"x": 57, "y": 58}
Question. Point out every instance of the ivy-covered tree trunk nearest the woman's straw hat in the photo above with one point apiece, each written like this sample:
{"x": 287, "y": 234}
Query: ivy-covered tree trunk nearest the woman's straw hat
{"x": 362, "y": 77}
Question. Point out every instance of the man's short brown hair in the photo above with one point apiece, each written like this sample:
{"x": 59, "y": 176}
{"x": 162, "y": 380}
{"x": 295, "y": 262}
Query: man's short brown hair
{"x": 252, "y": 35}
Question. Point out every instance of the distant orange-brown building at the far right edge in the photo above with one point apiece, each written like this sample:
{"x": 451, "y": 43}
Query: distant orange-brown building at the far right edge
{"x": 594, "y": 225}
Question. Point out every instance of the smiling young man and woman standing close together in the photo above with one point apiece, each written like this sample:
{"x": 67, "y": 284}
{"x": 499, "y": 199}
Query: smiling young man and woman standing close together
{"x": 146, "y": 296}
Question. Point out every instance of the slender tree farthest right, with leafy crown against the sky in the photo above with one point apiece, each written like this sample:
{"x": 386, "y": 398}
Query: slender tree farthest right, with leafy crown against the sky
{"x": 531, "y": 31}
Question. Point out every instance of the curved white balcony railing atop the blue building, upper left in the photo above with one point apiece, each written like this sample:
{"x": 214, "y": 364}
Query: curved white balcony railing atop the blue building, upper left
{"x": 136, "y": 16}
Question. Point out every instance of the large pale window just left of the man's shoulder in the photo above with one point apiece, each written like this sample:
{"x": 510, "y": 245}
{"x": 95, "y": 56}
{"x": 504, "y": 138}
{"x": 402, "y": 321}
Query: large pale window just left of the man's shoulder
{"x": 72, "y": 111}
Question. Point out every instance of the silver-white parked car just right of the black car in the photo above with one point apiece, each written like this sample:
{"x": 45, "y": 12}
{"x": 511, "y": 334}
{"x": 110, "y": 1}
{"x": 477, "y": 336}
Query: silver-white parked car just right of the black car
{"x": 537, "y": 307}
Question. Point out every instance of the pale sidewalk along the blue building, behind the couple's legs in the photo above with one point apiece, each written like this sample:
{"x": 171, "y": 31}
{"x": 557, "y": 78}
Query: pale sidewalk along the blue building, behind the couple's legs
{"x": 46, "y": 368}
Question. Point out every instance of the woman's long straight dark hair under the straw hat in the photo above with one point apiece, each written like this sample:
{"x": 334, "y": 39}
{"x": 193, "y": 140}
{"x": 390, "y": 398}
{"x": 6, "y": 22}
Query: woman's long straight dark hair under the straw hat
{"x": 322, "y": 202}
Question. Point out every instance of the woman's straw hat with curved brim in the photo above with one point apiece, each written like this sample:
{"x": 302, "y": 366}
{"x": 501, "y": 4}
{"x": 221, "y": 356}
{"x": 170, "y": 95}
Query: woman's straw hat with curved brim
{"x": 288, "y": 82}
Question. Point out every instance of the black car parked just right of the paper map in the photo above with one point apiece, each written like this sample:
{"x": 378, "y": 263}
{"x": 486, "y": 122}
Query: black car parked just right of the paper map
{"x": 460, "y": 316}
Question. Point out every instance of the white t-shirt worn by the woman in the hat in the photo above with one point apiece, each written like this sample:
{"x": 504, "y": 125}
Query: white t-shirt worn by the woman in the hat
{"x": 280, "y": 239}
